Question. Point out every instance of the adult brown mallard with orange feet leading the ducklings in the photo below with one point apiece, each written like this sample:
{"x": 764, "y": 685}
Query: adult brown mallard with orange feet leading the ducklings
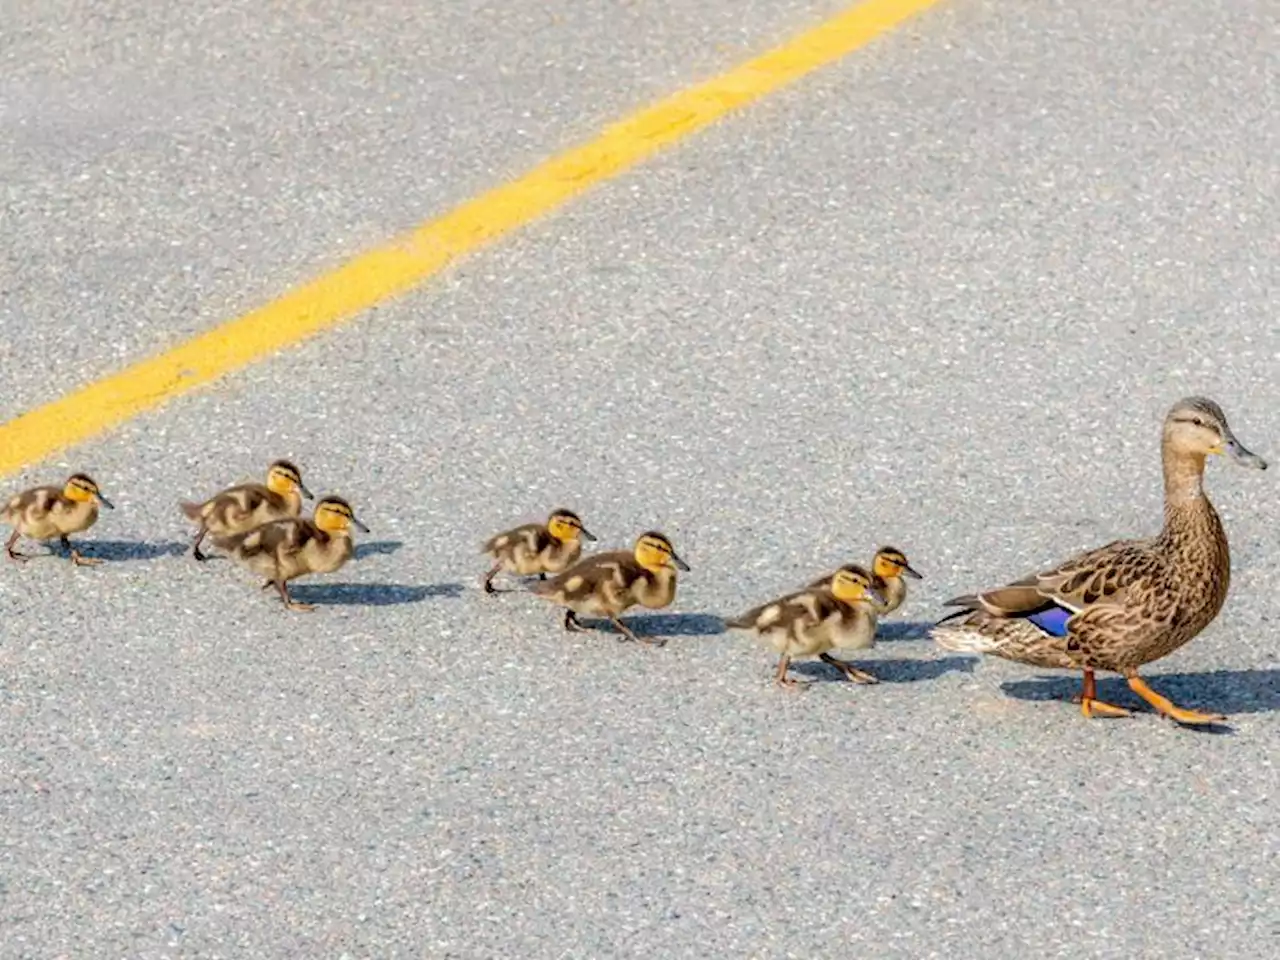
{"x": 1131, "y": 602}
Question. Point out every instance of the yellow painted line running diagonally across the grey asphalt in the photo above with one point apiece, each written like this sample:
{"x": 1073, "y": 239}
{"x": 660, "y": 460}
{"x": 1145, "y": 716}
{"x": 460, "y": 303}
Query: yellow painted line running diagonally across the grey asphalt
{"x": 406, "y": 263}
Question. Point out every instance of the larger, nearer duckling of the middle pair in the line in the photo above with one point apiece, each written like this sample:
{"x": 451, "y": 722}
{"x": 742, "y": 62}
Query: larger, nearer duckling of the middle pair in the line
{"x": 607, "y": 584}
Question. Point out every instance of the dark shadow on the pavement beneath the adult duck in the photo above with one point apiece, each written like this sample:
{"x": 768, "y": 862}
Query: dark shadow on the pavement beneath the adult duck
{"x": 1220, "y": 691}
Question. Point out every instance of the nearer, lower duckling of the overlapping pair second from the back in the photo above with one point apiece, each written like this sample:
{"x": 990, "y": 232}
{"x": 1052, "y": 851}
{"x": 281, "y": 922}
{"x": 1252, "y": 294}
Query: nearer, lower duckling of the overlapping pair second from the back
{"x": 285, "y": 550}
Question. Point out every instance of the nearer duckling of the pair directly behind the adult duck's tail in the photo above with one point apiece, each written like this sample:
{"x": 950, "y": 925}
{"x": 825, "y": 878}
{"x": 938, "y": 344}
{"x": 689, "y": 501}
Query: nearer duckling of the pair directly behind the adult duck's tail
{"x": 812, "y": 623}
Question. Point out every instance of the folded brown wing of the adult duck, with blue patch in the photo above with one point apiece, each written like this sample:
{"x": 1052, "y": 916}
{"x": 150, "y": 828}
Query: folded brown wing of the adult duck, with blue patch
{"x": 1096, "y": 579}
